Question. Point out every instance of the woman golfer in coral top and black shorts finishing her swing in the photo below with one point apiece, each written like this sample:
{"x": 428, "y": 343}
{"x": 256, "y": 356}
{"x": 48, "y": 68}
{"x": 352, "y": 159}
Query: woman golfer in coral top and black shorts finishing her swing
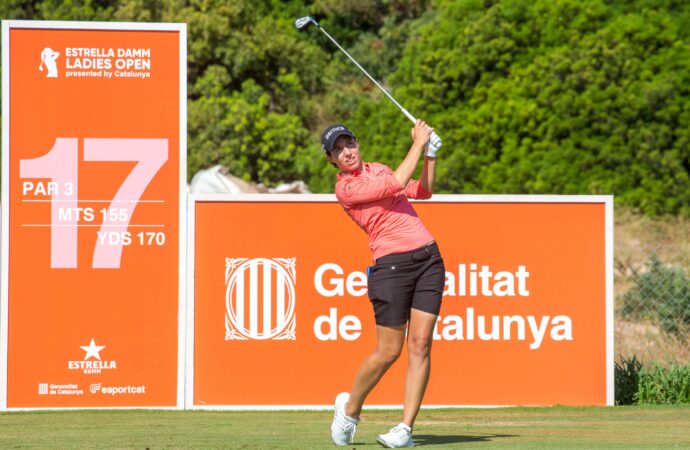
{"x": 405, "y": 284}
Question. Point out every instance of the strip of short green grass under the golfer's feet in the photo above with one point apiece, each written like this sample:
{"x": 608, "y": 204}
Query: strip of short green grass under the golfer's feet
{"x": 558, "y": 427}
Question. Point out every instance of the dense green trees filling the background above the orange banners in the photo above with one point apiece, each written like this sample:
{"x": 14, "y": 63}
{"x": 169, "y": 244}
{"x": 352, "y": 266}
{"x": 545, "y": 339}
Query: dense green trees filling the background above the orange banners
{"x": 530, "y": 96}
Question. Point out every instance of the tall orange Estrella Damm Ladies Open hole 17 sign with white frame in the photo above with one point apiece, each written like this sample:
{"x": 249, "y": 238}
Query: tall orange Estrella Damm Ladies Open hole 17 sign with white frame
{"x": 93, "y": 181}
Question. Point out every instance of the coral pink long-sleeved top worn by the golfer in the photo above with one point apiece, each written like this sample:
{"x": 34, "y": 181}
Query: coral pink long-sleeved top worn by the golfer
{"x": 374, "y": 199}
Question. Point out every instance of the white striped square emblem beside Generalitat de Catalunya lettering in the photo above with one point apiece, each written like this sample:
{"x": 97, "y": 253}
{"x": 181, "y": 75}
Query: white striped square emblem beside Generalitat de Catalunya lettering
{"x": 260, "y": 298}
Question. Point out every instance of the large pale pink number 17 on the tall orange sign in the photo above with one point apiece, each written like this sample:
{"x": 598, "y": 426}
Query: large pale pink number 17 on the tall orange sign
{"x": 60, "y": 165}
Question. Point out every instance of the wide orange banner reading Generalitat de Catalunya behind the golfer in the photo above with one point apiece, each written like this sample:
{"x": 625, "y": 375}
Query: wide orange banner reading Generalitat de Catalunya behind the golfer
{"x": 281, "y": 315}
